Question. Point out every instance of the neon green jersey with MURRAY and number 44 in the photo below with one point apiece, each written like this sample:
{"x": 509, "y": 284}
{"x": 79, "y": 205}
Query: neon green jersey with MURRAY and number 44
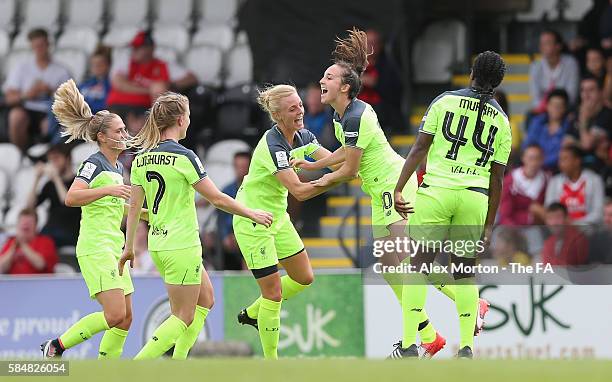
{"x": 461, "y": 153}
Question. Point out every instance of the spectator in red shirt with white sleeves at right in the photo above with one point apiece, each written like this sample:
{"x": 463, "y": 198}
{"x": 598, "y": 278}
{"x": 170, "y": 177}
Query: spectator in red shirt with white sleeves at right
{"x": 580, "y": 190}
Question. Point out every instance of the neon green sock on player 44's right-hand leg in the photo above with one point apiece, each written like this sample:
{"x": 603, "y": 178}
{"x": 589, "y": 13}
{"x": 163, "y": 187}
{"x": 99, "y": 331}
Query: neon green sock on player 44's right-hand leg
{"x": 467, "y": 308}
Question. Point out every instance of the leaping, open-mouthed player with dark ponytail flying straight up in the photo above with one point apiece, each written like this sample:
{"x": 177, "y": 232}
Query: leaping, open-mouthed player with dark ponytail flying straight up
{"x": 366, "y": 152}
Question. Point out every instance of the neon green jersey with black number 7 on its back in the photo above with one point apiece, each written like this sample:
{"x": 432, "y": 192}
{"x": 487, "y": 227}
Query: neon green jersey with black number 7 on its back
{"x": 167, "y": 173}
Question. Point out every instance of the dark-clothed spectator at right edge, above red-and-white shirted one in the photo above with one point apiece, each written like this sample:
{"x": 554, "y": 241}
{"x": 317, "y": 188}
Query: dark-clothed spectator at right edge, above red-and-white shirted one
{"x": 594, "y": 118}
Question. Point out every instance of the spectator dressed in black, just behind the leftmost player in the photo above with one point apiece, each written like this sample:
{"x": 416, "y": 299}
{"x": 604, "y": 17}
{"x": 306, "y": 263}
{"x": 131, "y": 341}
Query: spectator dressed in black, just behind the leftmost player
{"x": 63, "y": 222}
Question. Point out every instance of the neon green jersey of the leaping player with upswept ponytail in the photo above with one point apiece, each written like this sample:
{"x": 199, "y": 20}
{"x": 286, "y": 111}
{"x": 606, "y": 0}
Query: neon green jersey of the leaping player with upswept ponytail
{"x": 359, "y": 128}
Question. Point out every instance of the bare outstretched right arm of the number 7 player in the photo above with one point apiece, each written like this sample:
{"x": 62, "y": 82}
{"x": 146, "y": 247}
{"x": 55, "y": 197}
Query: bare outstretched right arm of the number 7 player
{"x": 224, "y": 202}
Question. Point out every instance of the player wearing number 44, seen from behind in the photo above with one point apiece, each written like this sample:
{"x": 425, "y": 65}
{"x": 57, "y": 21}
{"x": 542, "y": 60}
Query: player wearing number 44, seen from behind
{"x": 468, "y": 138}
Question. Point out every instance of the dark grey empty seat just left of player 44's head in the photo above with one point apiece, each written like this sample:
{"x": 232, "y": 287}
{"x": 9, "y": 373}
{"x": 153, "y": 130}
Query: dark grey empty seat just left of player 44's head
{"x": 440, "y": 46}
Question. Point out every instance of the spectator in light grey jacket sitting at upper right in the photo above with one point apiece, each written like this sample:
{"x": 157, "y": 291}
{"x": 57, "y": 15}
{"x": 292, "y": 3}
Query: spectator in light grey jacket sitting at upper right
{"x": 554, "y": 70}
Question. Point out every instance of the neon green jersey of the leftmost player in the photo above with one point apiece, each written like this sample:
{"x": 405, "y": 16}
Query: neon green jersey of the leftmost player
{"x": 100, "y": 230}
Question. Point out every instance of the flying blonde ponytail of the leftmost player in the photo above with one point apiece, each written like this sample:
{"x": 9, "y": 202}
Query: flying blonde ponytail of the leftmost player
{"x": 74, "y": 114}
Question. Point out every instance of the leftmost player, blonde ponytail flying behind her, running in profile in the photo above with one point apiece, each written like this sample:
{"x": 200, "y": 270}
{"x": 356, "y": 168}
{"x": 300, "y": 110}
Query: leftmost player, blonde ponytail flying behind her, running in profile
{"x": 99, "y": 190}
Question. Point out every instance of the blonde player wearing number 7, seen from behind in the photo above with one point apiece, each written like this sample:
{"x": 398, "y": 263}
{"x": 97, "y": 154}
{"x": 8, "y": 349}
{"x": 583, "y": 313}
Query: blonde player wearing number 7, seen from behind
{"x": 167, "y": 174}
